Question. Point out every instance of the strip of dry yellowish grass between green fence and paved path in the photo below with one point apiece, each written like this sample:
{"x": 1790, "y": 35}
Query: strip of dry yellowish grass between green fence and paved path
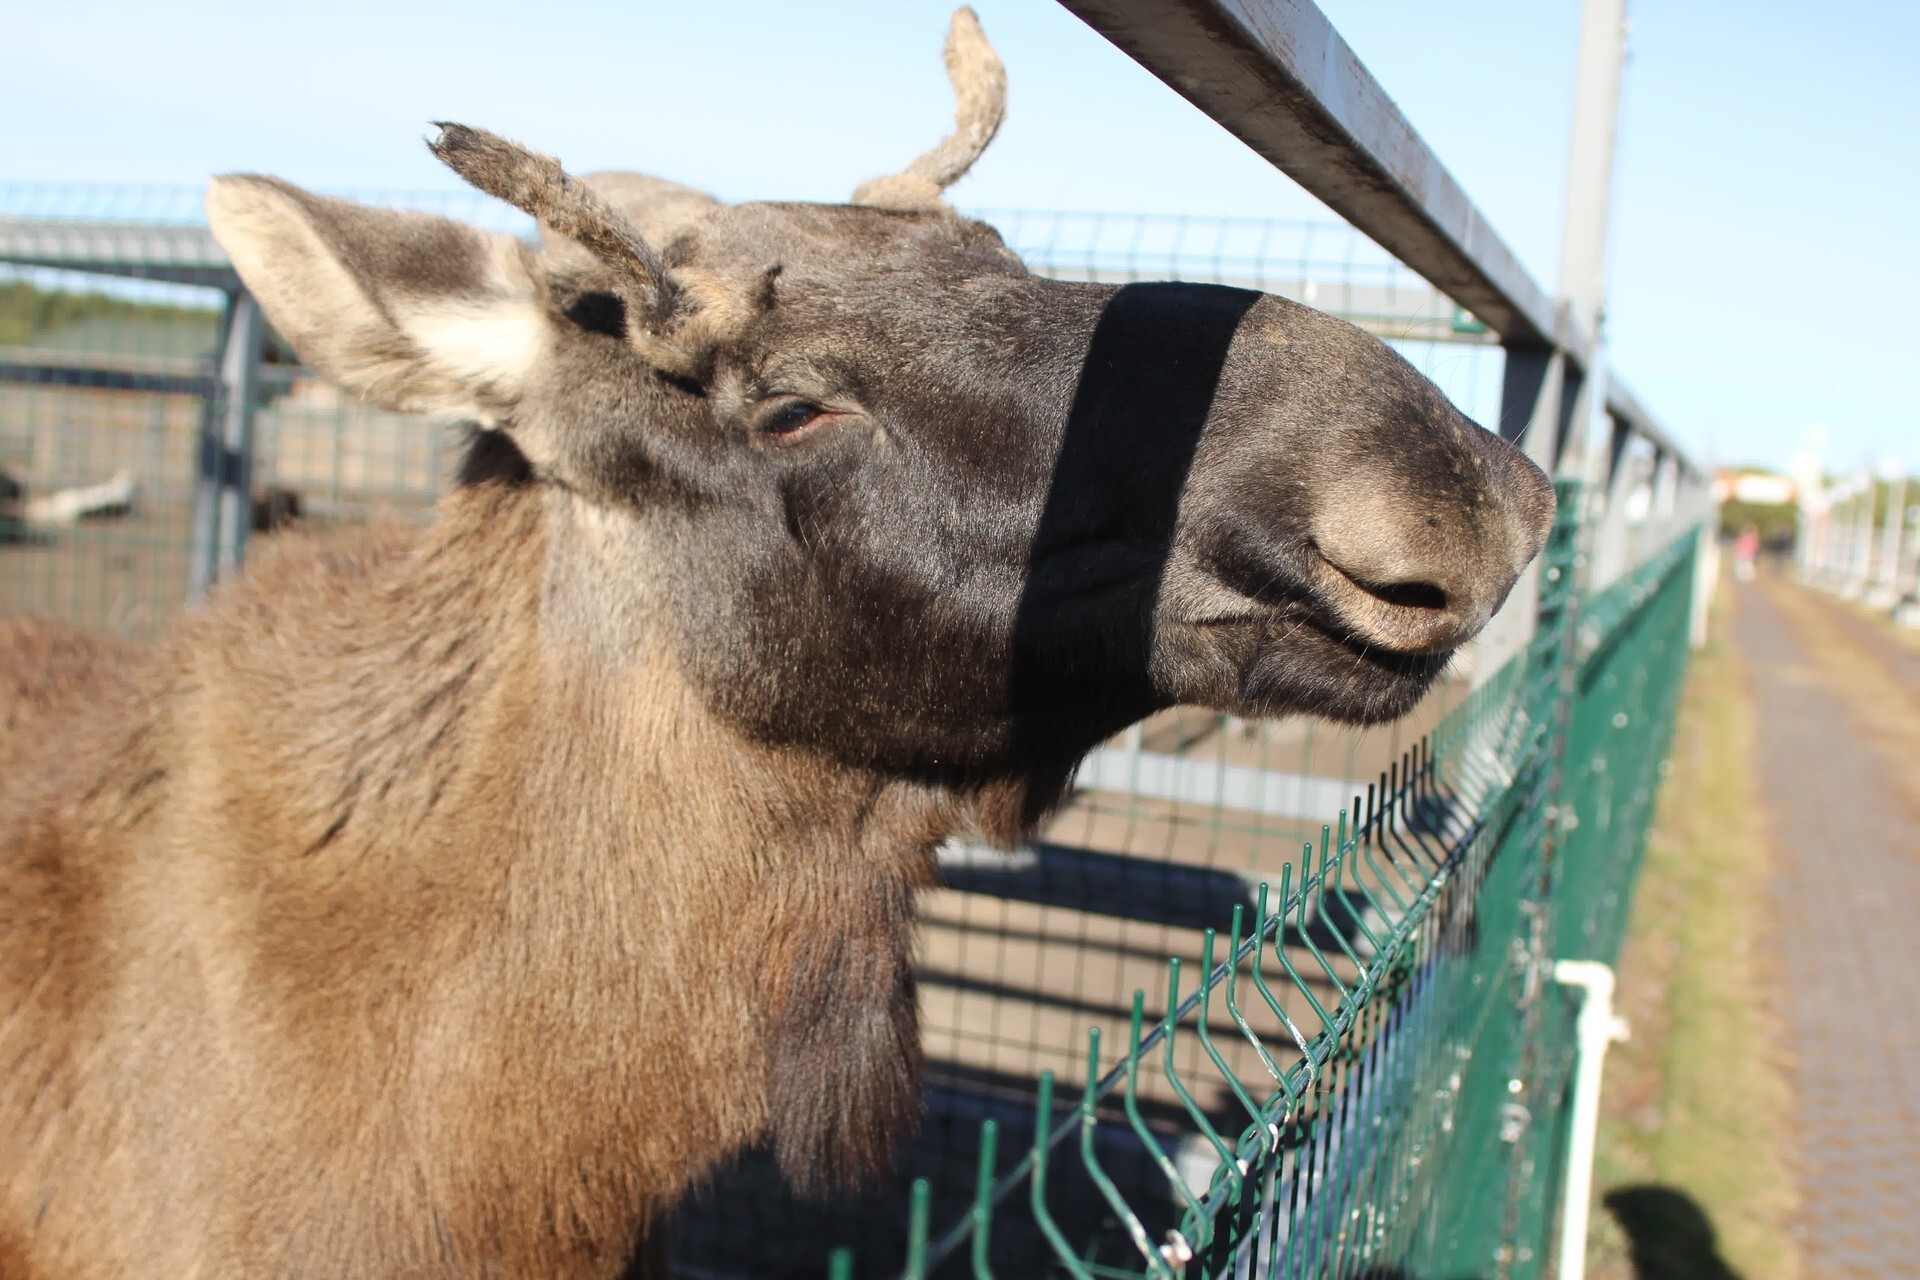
{"x": 1694, "y": 1133}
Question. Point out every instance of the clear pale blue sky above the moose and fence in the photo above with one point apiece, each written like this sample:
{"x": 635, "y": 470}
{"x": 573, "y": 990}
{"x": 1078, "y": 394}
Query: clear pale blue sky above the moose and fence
{"x": 1765, "y": 256}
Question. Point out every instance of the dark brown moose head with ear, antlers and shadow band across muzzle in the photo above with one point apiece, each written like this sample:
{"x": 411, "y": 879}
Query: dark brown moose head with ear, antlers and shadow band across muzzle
{"x": 882, "y": 492}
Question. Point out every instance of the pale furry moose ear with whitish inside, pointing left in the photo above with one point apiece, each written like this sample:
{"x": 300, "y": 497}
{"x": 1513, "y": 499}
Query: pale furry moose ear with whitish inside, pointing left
{"x": 412, "y": 312}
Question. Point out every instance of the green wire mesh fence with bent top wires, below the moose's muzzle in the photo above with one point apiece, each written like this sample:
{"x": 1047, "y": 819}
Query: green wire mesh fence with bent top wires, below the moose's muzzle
{"x": 1414, "y": 1124}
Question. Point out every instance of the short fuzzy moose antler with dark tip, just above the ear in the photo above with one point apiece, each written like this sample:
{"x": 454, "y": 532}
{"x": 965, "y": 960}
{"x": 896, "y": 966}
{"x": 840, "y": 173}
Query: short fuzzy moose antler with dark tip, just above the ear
{"x": 540, "y": 187}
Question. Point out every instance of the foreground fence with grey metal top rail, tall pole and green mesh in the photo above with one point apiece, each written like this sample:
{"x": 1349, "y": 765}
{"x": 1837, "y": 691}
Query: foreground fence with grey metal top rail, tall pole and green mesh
{"x": 1422, "y": 1126}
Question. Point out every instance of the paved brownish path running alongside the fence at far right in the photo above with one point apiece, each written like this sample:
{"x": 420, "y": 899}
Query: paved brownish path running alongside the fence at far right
{"x": 1838, "y": 759}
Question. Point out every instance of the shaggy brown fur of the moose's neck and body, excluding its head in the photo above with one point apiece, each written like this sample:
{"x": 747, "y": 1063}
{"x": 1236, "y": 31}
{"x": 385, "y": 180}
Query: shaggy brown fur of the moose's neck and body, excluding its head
{"x": 348, "y": 934}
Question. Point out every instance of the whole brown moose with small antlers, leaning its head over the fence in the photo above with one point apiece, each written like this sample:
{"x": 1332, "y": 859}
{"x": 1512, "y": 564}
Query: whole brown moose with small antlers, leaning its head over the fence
{"x": 450, "y": 901}
